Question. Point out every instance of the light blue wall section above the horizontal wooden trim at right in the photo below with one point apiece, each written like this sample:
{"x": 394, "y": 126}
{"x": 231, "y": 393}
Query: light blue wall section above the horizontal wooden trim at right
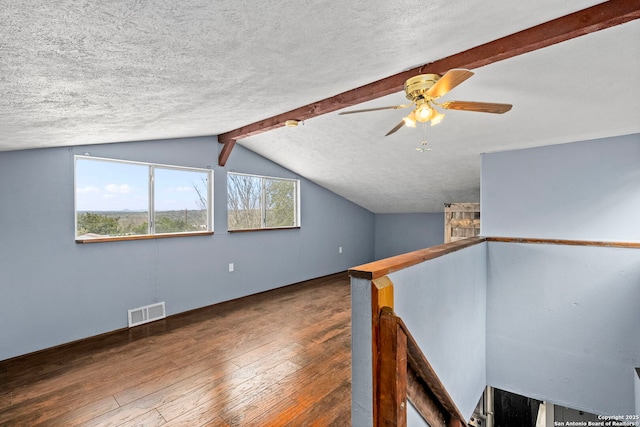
{"x": 584, "y": 191}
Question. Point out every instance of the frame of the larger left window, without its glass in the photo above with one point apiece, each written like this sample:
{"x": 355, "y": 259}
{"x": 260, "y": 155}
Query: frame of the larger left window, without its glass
{"x": 151, "y": 214}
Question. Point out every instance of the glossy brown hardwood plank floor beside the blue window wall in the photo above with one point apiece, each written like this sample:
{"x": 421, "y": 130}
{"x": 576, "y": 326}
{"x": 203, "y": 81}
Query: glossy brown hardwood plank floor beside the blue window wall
{"x": 280, "y": 358}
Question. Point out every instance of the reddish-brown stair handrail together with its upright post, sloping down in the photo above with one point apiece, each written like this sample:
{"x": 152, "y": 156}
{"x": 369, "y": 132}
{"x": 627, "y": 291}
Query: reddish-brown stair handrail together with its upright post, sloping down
{"x": 404, "y": 372}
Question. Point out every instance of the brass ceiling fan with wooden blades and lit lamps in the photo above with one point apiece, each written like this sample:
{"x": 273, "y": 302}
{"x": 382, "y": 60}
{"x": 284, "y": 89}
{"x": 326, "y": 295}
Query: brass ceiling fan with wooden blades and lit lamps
{"x": 423, "y": 90}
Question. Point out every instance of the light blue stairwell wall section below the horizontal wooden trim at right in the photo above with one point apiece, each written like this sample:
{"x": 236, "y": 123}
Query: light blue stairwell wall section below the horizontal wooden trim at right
{"x": 563, "y": 324}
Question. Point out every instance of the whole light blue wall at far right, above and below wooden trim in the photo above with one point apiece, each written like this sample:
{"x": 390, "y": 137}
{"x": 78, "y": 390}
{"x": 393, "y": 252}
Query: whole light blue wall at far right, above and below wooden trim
{"x": 563, "y": 321}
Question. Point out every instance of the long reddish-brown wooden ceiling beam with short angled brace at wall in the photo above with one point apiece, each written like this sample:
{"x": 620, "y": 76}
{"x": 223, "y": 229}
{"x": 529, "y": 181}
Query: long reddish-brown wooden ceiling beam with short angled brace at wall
{"x": 589, "y": 20}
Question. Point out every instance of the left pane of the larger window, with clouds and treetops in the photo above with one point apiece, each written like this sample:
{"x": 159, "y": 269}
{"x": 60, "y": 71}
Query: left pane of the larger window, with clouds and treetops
{"x": 111, "y": 199}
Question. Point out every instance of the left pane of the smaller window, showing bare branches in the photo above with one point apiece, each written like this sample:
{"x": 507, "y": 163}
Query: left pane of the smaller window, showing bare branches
{"x": 243, "y": 201}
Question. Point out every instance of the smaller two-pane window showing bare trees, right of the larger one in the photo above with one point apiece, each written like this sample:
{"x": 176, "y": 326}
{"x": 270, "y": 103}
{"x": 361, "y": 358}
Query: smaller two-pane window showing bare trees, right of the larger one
{"x": 261, "y": 202}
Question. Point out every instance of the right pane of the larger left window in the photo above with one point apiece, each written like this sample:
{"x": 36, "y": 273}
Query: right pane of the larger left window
{"x": 180, "y": 200}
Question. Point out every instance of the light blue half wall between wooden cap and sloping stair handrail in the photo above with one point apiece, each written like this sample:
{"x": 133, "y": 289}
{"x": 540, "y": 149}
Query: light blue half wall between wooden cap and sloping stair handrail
{"x": 443, "y": 303}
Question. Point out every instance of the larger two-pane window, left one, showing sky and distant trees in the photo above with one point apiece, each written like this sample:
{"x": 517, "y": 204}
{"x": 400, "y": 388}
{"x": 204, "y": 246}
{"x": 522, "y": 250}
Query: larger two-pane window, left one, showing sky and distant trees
{"x": 117, "y": 199}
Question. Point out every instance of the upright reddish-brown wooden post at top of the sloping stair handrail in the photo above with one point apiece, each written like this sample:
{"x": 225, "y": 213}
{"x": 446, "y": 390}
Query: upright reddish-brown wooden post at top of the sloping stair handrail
{"x": 392, "y": 373}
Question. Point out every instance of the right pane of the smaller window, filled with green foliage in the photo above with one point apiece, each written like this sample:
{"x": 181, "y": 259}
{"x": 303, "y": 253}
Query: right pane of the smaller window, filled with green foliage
{"x": 280, "y": 203}
